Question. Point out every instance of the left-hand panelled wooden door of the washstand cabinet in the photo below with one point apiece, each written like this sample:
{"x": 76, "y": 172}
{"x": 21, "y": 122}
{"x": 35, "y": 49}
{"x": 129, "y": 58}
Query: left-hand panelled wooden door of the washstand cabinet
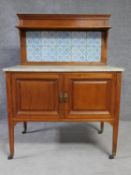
{"x": 36, "y": 94}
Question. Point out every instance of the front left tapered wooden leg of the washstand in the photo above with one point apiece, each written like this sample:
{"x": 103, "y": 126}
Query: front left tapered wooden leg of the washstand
{"x": 11, "y": 140}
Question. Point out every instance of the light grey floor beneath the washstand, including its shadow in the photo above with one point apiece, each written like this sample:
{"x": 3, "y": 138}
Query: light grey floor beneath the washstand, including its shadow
{"x": 65, "y": 149}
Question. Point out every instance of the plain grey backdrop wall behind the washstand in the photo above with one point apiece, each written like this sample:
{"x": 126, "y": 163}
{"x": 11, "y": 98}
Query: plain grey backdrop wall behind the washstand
{"x": 119, "y": 53}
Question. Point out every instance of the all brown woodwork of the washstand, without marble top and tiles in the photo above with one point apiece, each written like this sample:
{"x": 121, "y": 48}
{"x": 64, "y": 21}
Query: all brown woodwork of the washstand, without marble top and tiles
{"x": 100, "y": 89}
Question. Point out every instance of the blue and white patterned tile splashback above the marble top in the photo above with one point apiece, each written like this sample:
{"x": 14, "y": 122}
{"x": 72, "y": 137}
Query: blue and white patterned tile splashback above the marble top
{"x": 63, "y": 46}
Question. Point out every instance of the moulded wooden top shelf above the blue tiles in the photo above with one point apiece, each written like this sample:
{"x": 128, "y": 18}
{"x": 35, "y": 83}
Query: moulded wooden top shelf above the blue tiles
{"x": 64, "y": 22}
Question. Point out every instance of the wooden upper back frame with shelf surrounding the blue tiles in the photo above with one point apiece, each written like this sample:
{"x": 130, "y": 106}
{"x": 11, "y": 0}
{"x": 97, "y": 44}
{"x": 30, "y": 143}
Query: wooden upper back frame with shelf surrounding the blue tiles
{"x": 29, "y": 22}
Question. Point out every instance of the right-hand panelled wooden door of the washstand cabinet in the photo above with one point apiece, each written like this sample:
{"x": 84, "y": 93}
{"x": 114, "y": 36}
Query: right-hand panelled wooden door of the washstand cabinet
{"x": 89, "y": 95}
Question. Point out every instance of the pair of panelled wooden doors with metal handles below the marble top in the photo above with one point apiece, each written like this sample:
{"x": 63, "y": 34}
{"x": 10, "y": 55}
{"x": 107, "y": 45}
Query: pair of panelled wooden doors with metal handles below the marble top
{"x": 53, "y": 96}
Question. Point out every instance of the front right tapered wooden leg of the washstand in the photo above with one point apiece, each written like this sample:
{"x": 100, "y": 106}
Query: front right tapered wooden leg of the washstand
{"x": 114, "y": 140}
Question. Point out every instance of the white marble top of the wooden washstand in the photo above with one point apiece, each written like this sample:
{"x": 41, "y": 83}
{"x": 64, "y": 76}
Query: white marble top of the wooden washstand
{"x": 80, "y": 68}
